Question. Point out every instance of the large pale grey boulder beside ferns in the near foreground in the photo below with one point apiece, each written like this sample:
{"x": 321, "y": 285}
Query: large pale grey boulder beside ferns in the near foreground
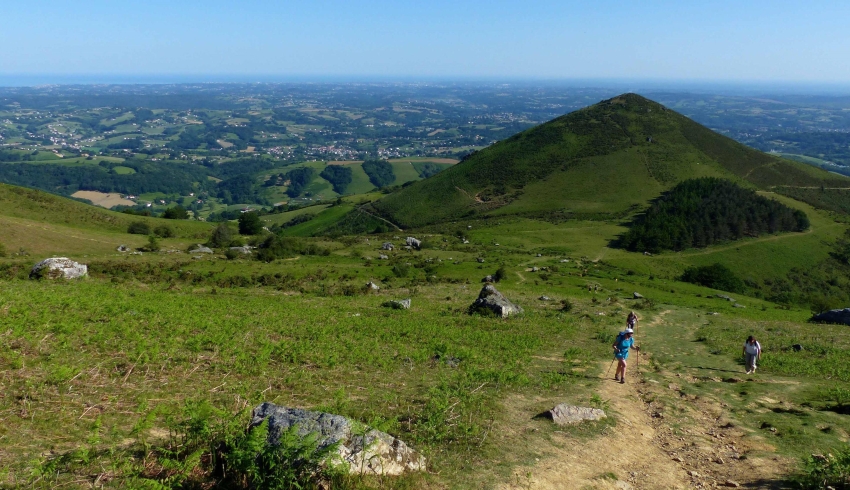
{"x": 365, "y": 450}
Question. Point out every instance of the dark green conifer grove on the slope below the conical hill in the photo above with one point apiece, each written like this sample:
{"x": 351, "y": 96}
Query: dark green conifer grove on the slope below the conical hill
{"x": 701, "y": 212}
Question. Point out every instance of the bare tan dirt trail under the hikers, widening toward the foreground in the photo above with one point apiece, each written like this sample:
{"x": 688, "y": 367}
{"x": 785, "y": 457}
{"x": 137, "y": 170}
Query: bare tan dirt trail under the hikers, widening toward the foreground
{"x": 643, "y": 450}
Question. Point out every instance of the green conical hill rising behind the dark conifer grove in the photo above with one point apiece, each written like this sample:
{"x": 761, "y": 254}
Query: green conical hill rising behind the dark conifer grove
{"x": 599, "y": 161}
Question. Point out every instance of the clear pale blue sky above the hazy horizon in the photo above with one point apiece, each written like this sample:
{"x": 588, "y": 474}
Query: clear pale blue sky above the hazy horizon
{"x": 254, "y": 40}
